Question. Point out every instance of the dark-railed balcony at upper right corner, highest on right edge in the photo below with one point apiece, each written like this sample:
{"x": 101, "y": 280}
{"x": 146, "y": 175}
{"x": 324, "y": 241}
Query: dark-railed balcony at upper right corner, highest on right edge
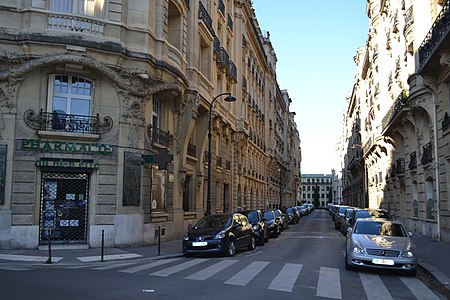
{"x": 437, "y": 38}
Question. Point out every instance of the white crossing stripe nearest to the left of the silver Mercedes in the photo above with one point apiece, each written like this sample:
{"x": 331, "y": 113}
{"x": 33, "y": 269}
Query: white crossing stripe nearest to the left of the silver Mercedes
{"x": 329, "y": 284}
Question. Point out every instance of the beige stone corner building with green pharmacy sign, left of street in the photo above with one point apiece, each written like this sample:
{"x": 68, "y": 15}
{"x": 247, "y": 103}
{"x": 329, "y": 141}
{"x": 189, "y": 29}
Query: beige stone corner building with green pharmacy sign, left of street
{"x": 108, "y": 109}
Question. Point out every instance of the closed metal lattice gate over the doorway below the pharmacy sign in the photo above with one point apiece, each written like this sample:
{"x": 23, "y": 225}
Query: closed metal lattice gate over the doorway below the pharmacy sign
{"x": 64, "y": 207}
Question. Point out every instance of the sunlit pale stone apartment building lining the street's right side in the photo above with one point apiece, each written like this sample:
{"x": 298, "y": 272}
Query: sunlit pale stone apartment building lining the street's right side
{"x": 402, "y": 95}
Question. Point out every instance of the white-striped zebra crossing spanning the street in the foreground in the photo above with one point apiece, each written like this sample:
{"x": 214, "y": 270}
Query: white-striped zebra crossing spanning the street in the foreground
{"x": 329, "y": 285}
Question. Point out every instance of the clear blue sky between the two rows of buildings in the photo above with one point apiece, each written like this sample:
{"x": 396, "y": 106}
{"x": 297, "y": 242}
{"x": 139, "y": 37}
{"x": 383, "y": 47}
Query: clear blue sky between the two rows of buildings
{"x": 315, "y": 43}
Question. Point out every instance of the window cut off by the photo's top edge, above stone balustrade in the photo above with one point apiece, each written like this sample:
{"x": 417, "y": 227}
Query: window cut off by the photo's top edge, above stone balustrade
{"x": 91, "y": 8}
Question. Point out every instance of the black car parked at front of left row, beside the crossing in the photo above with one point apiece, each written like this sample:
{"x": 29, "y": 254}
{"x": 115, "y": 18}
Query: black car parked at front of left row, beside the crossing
{"x": 219, "y": 233}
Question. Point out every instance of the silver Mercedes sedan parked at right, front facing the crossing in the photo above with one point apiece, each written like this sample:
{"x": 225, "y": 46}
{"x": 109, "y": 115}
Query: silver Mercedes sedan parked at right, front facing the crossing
{"x": 380, "y": 244}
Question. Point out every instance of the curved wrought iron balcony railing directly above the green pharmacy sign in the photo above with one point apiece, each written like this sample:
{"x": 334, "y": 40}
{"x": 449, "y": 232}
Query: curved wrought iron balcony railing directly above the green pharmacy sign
{"x": 61, "y": 122}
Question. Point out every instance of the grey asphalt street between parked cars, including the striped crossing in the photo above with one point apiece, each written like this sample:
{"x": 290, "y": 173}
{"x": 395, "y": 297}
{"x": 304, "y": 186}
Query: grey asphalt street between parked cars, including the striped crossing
{"x": 304, "y": 262}
